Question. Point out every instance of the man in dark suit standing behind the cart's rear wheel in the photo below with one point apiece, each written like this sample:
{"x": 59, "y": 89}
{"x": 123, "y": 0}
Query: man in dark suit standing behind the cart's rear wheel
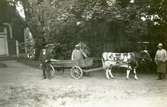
{"x": 44, "y": 57}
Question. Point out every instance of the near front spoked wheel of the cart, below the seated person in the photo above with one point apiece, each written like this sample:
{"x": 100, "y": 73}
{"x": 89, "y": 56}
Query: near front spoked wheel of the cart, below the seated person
{"x": 76, "y": 72}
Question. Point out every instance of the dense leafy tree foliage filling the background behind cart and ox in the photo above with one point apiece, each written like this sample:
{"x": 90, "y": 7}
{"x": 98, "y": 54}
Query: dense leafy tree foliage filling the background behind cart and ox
{"x": 104, "y": 25}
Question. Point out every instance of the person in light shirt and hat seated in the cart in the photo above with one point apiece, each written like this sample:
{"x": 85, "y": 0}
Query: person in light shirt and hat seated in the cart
{"x": 78, "y": 53}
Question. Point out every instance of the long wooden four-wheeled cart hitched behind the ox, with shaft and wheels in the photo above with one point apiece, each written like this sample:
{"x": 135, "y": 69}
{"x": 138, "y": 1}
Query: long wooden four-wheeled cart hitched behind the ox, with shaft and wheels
{"x": 77, "y": 67}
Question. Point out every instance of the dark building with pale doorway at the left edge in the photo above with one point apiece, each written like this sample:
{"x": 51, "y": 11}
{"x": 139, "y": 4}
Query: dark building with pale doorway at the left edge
{"x": 12, "y": 32}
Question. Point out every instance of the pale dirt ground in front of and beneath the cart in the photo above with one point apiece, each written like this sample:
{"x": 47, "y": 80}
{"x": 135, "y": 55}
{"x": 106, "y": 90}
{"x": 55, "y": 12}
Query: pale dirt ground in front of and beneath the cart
{"x": 22, "y": 86}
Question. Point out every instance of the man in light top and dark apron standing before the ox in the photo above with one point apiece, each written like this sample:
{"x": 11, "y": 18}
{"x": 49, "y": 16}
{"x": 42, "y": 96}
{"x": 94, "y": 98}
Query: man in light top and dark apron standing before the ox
{"x": 160, "y": 60}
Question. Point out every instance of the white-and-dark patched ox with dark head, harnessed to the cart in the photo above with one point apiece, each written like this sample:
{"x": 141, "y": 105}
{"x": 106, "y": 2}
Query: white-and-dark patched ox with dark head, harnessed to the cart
{"x": 130, "y": 61}
